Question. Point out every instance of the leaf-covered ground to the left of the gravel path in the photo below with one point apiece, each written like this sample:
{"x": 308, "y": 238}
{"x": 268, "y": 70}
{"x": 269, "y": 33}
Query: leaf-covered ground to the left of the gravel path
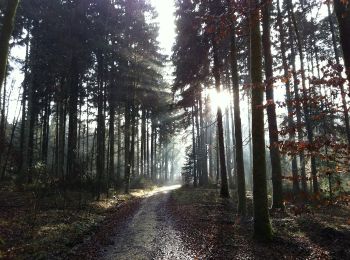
{"x": 32, "y": 228}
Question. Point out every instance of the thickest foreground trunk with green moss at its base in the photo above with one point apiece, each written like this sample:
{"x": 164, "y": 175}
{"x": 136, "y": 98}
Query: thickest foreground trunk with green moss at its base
{"x": 262, "y": 226}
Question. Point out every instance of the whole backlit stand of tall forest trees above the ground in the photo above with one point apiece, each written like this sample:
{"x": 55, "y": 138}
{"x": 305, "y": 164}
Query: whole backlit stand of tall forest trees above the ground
{"x": 258, "y": 102}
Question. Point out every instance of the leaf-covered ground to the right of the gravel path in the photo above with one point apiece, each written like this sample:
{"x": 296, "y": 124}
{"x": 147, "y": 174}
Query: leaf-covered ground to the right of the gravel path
{"x": 210, "y": 224}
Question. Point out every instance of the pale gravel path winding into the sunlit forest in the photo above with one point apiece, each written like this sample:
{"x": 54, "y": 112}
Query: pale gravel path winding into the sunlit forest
{"x": 150, "y": 233}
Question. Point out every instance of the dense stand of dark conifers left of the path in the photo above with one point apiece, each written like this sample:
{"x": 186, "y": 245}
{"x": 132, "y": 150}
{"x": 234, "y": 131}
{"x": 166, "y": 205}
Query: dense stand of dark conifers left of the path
{"x": 103, "y": 118}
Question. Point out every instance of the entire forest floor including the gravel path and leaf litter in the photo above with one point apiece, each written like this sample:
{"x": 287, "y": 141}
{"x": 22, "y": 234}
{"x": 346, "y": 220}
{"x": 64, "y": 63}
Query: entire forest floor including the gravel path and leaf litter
{"x": 164, "y": 223}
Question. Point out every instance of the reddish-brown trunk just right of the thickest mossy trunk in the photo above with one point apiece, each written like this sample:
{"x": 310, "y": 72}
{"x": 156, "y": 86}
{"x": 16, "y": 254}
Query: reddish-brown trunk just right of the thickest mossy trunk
{"x": 277, "y": 198}
